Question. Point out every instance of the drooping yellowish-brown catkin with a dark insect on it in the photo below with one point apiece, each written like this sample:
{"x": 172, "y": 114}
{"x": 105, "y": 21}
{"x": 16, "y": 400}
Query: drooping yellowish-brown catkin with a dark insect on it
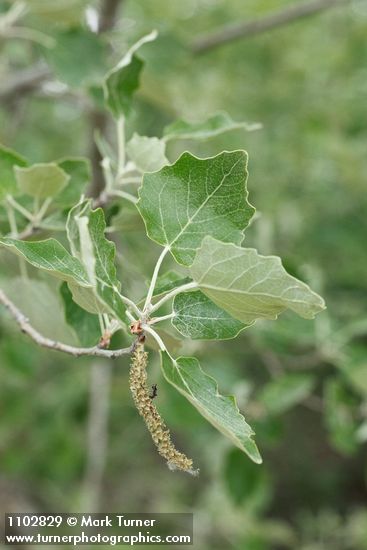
{"x": 157, "y": 428}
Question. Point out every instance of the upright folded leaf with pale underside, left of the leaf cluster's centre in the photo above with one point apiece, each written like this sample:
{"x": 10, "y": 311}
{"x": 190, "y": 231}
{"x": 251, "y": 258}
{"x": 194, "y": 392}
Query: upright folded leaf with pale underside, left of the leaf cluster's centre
{"x": 85, "y": 231}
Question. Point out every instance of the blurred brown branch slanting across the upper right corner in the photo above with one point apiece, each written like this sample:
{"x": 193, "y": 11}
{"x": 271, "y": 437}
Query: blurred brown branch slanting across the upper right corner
{"x": 230, "y": 33}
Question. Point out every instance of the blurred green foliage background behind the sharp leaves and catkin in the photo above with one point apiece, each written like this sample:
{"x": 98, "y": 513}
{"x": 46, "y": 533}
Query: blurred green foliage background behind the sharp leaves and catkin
{"x": 301, "y": 384}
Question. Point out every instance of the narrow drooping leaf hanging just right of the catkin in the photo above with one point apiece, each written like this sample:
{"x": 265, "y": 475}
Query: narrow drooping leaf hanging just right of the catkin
{"x": 186, "y": 375}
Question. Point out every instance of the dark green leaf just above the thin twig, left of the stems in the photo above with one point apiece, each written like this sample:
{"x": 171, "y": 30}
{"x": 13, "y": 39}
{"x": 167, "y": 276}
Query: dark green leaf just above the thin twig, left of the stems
{"x": 85, "y": 325}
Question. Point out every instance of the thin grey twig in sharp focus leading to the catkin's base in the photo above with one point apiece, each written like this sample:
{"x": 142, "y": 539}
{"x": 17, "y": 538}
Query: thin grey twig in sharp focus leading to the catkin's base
{"x": 41, "y": 340}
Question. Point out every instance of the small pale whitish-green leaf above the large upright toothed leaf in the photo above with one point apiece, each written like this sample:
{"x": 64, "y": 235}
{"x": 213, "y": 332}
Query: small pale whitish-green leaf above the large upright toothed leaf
{"x": 147, "y": 153}
